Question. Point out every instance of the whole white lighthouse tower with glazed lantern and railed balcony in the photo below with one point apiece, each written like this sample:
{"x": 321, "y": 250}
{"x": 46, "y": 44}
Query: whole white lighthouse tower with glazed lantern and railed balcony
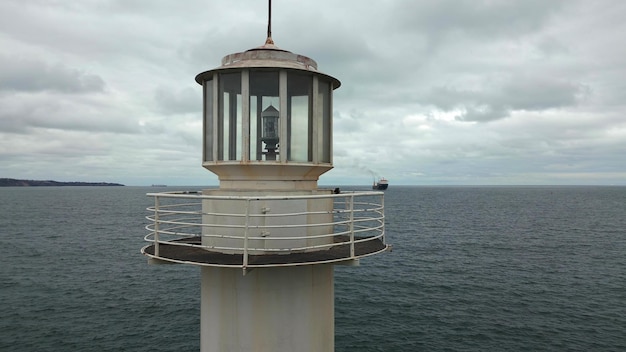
{"x": 268, "y": 238}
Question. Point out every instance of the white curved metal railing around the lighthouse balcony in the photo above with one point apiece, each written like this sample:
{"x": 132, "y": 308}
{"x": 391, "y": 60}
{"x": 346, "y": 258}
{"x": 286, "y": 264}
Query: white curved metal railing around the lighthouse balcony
{"x": 248, "y": 227}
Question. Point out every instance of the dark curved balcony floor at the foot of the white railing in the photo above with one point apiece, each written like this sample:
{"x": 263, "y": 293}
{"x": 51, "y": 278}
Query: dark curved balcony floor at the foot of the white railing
{"x": 199, "y": 256}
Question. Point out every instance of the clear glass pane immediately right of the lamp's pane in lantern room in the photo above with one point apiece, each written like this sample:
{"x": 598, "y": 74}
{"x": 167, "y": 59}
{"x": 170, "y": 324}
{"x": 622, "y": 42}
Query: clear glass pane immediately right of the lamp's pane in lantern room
{"x": 299, "y": 127}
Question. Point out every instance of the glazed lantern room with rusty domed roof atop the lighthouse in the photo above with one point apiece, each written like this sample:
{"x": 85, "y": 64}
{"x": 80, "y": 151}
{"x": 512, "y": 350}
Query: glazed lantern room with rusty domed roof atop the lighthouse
{"x": 267, "y": 120}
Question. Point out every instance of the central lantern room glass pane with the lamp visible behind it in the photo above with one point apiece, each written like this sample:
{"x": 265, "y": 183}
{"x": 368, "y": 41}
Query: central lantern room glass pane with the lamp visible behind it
{"x": 263, "y": 94}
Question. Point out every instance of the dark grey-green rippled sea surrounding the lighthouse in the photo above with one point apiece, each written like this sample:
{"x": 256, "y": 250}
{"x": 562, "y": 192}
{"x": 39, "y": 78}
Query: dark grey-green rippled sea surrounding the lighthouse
{"x": 523, "y": 268}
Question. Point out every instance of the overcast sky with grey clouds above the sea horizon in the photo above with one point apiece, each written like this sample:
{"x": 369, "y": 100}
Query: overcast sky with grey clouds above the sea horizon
{"x": 434, "y": 92}
